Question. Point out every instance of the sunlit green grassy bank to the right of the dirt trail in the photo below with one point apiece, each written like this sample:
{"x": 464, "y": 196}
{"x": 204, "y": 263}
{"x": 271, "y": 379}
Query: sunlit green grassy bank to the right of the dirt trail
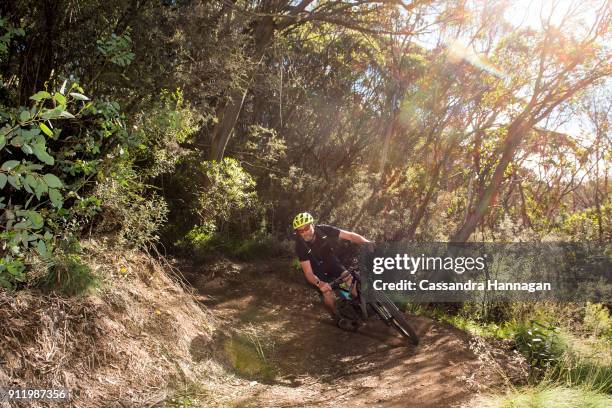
{"x": 568, "y": 348}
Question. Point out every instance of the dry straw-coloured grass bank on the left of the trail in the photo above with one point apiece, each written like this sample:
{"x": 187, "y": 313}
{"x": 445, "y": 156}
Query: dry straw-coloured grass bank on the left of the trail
{"x": 133, "y": 342}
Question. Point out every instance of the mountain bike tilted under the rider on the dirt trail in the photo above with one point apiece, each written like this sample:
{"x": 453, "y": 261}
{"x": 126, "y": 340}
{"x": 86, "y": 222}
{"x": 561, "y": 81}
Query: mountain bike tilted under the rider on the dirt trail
{"x": 356, "y": 309}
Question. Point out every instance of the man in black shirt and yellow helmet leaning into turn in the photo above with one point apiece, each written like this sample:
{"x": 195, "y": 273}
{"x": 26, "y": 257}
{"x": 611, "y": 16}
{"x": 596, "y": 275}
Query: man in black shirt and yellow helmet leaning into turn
{"x": 313, "y": 246}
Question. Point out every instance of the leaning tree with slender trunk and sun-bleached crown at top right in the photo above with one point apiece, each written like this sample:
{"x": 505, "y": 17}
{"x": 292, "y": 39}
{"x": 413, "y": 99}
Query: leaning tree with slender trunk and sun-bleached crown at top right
{"x": 547, "y": 69}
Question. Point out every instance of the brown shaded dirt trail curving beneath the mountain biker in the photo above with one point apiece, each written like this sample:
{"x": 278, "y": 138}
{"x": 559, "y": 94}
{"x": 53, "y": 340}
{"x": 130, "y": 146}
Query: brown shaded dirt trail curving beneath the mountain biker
{"x": 316, "y": 364}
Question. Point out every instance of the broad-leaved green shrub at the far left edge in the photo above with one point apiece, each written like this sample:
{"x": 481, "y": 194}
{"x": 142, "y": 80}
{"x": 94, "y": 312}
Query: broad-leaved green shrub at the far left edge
{"x": 37, "y": 183}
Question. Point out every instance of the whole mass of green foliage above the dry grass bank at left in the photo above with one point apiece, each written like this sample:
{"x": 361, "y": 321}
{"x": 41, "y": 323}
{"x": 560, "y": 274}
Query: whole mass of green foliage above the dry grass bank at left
{"x": 63, "y": 161}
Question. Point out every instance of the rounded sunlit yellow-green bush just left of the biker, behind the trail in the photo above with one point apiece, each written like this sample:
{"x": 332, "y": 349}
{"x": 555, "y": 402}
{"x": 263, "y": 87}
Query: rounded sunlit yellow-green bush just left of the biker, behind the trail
{"x": 214, "y": 206}
